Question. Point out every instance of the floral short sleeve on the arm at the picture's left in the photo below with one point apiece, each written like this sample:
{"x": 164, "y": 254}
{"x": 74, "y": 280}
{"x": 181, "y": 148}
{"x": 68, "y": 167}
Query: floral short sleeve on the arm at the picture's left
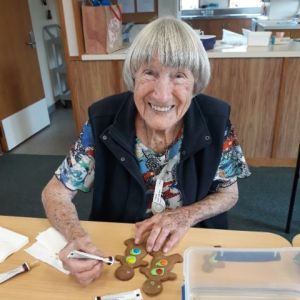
{"x": 77, "y": 170}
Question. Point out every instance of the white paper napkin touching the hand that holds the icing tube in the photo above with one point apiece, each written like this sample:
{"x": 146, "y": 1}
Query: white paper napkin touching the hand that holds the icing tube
{"x": 47, "y": 247}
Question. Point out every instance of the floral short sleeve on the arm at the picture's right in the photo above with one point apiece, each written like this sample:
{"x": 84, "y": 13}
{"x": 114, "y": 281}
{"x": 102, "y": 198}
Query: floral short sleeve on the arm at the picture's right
{"x": 232, "y": 164}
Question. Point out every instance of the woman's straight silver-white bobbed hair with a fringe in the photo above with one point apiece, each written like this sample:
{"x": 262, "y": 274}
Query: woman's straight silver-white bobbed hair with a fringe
{"x": 175, "y": 44}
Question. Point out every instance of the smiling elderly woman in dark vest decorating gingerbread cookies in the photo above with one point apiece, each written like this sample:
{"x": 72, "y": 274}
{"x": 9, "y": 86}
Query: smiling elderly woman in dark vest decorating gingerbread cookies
{"x": 161, "y": 155}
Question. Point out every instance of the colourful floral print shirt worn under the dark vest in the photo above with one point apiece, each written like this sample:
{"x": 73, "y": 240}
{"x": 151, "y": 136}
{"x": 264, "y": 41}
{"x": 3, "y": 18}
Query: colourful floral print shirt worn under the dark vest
{"x": 77, "y": 170}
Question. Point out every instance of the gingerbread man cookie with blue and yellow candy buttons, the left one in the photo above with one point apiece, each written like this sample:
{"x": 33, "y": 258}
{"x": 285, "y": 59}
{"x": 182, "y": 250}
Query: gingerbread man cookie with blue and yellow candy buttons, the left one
{"x": 133, "y": 258}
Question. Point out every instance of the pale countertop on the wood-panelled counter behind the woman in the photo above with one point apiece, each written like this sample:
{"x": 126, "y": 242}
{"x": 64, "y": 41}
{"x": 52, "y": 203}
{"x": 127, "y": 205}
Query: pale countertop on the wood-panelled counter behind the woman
{"x": 222, "y": 51}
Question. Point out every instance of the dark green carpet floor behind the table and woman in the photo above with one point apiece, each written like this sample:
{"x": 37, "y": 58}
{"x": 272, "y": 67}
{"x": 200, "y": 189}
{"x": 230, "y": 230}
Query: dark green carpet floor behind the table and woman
{"x": 262, "y": 206}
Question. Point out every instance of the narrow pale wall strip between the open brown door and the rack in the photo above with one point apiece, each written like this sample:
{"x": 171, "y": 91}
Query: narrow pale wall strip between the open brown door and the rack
{"x": 38, "y": 18}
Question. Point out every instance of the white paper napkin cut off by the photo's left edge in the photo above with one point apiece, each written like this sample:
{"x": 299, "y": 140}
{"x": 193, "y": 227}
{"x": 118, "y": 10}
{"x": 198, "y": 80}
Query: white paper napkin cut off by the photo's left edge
{"x": 10, "y": 242}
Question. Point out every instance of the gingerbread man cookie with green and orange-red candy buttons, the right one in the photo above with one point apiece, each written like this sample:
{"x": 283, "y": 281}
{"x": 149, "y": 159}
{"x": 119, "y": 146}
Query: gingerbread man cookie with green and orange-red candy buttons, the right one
{"x": 159, "y": 271}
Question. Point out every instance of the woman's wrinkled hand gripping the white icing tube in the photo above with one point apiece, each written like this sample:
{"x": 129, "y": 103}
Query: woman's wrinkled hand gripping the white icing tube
{"x": 84, "y": 270}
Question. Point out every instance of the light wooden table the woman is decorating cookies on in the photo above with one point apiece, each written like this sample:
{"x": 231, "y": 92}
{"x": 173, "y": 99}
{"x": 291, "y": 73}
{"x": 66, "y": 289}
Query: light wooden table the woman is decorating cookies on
{"x": 45, "y": 282}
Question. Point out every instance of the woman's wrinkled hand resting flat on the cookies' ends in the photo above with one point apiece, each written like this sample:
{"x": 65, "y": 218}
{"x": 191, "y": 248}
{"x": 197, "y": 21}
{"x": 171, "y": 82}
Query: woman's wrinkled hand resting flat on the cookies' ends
{"x": 164, "y": 230}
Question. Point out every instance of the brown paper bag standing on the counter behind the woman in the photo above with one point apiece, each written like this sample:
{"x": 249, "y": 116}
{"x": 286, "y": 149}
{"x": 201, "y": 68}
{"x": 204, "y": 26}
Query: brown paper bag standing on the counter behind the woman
{"x": 102, "y": 28}
